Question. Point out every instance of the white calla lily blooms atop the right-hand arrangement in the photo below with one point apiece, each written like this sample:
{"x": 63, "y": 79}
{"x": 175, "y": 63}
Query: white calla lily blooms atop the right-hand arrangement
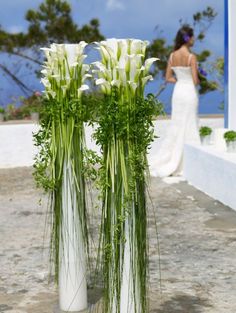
{"x": 123, "y": 65}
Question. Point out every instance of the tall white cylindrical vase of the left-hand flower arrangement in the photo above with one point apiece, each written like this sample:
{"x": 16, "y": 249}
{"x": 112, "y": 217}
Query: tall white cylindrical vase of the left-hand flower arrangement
{"x": 72, "y": 271}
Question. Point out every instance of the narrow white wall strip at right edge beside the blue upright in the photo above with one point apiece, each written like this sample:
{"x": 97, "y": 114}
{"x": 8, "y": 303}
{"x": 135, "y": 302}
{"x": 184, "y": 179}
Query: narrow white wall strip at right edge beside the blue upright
{"x": 232, "y": 65}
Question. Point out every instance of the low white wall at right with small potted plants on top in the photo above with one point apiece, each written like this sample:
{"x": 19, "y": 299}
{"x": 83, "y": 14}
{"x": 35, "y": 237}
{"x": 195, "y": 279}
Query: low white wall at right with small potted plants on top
{"x": 211, "y": 170}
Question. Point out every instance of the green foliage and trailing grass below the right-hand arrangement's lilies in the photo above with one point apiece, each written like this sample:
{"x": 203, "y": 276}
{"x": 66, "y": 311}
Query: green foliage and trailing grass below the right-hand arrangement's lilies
{"x": 125, "y": 133}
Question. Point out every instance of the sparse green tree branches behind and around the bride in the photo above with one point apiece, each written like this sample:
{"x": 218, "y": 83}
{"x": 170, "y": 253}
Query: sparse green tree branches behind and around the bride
{"x": 201, "y": 21}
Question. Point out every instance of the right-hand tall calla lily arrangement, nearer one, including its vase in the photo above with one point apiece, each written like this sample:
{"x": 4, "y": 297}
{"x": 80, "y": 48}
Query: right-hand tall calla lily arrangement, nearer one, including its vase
{"x": 124, "y": 133}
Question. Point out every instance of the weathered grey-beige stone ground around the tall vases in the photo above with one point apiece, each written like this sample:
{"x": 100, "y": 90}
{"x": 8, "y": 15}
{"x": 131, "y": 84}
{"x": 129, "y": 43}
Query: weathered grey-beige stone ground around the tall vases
{"x": 197, "y": 243}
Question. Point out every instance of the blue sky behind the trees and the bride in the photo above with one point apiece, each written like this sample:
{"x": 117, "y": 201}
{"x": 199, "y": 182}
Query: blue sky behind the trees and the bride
{"x": 130, "y": 18}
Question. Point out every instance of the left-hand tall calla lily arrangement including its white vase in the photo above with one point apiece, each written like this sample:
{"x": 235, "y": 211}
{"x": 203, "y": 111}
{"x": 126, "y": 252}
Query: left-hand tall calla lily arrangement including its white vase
{"x": 59, "y": 165}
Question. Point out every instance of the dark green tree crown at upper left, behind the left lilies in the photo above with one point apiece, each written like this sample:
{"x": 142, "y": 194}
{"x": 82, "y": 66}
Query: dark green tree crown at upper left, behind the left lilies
{"x": 45, "y": 26}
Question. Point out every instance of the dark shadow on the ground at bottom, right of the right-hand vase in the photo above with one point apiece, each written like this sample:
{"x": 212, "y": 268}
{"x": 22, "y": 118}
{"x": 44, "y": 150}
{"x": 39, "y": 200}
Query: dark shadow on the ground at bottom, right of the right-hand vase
{"x": 183, "y": 304}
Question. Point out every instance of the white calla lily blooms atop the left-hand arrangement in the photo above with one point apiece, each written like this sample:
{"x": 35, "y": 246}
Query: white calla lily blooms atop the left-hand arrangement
{"x": 65, "y": 73}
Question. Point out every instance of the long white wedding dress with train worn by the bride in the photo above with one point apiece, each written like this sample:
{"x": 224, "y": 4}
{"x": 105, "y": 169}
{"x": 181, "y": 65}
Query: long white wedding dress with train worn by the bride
{"x": 183, "y": 126}
